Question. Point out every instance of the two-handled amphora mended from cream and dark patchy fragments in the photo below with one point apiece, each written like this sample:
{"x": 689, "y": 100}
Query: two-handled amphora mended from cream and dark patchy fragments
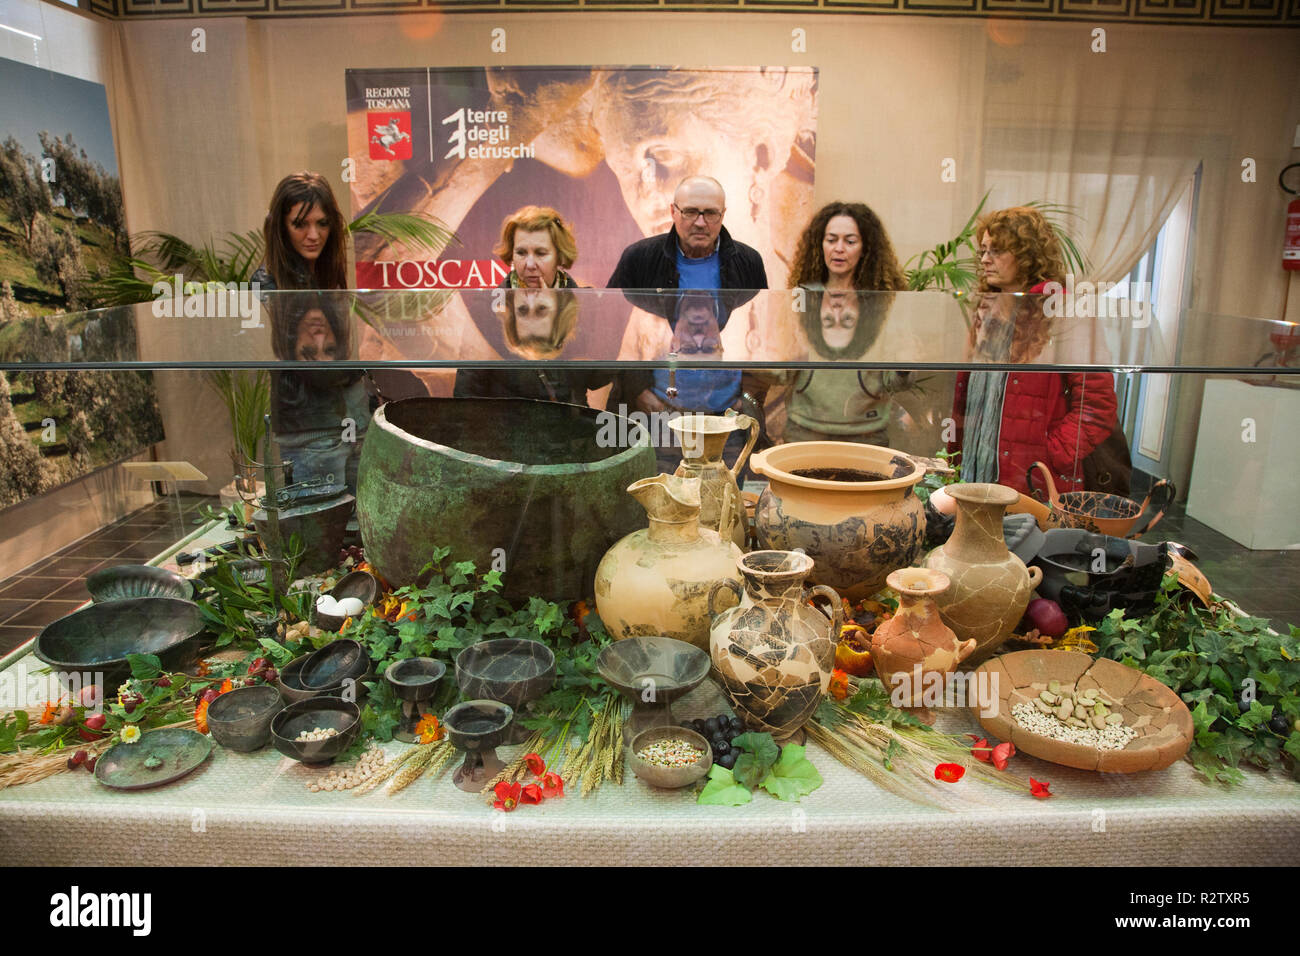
{"x": 774, "y": 652}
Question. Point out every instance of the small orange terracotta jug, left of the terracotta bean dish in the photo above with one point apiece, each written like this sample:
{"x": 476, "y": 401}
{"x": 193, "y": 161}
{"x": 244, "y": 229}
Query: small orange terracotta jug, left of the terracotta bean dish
{"x": 916, "y": 641}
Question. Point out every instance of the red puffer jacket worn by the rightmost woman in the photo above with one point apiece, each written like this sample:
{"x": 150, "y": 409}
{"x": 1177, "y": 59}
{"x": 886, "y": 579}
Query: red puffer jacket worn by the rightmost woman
{"x": 1047, "y": 417}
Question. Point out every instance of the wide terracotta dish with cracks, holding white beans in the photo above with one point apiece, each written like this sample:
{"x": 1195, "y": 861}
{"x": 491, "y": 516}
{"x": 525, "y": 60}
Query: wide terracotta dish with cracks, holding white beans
{"x": 1160, "y": 717}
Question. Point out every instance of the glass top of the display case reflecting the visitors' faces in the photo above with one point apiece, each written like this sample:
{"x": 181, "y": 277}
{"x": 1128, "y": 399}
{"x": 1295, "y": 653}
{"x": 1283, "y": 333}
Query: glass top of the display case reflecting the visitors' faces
{"x": 567, "y": 328}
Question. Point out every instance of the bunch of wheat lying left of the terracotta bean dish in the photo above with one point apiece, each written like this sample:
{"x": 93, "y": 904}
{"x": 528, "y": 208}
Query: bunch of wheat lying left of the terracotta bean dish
{"x": 903, "y": 760}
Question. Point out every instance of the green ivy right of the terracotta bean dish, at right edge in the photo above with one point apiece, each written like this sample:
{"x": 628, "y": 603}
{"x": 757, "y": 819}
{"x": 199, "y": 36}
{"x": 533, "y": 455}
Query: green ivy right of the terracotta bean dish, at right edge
{"x": 1210, "y": 659}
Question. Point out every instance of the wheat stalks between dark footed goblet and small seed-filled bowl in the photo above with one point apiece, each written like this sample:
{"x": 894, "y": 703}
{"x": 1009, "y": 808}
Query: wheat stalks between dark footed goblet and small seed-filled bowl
{"x": 595, "y": 762}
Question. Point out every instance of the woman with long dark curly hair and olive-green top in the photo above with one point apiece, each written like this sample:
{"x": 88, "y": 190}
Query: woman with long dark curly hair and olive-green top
{"x": 848, "y": 265}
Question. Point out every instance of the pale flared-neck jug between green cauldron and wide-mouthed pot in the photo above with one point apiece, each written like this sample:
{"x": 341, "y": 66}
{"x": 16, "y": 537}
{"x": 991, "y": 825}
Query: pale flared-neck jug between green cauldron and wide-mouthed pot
{"x": 703, "y": 442}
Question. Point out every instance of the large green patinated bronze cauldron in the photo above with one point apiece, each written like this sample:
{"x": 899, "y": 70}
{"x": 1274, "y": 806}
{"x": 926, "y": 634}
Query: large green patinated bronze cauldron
{"x": 538, "y": 488}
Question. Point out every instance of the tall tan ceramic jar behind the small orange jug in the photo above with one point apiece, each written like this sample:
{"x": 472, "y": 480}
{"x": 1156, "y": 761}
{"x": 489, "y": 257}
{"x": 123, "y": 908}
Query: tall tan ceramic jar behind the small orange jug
{"x": 990, "y": 587}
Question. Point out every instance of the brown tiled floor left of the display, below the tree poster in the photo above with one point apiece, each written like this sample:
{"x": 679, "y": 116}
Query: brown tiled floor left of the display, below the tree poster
{"x": 55, "y": 586}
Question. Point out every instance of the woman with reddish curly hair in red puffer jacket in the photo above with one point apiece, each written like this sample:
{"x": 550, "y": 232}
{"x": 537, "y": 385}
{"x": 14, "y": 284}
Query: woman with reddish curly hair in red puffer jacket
{"x": 1008, "y": 421}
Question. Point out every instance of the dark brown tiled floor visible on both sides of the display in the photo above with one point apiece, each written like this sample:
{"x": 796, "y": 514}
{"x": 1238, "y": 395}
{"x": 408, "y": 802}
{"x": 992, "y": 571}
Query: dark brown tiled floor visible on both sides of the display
{"x": 1264, "y": 583}
